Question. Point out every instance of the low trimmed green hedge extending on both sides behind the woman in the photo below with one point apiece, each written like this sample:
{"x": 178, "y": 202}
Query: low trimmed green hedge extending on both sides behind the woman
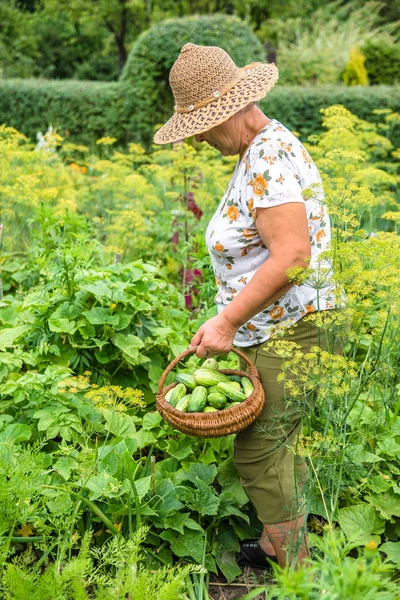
{"x": 89, "y": 110}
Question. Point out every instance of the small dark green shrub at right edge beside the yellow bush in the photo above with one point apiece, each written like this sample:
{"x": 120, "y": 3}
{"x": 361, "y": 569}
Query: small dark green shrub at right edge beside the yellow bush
{"x": 382, "y": 62}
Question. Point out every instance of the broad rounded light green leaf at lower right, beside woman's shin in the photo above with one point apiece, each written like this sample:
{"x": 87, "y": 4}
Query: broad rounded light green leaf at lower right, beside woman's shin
{"x": 359, "y": 522}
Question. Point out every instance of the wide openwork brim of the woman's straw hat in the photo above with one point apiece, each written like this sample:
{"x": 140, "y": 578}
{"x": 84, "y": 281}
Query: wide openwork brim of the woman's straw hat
{"x": 255, "y": 82}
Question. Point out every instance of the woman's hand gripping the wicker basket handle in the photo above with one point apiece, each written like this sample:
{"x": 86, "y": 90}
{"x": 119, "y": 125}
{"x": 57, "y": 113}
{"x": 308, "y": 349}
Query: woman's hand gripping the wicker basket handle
{"x": 215, "y": 337}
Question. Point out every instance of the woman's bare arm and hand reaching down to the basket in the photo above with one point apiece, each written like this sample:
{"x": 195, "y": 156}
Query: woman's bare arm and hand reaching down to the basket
{"x": 284, "y": 231}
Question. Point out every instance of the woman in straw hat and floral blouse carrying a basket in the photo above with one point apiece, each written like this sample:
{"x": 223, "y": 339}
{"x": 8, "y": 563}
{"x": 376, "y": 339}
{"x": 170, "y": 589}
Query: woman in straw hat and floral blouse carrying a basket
{"x": 263, "y": 227}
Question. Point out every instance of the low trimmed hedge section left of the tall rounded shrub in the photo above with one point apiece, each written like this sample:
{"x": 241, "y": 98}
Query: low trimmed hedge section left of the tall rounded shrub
{"x": 83, "y": 111}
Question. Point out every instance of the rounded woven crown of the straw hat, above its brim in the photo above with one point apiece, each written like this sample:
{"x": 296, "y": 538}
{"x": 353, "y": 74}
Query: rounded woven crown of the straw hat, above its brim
{"x": 200, "y": 75}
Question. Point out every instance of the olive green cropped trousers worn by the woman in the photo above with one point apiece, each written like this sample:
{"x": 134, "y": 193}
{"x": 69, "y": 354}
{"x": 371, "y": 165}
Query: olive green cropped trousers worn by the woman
{"x": 271, "y": 470}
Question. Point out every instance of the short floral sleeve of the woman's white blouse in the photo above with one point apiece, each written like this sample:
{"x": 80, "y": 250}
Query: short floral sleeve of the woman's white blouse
{"x": 271, "y": 178}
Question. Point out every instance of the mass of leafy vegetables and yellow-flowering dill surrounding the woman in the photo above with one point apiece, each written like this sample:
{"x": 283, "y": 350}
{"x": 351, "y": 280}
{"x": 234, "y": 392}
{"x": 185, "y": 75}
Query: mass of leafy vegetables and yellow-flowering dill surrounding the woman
{"x": 99, "y": 496}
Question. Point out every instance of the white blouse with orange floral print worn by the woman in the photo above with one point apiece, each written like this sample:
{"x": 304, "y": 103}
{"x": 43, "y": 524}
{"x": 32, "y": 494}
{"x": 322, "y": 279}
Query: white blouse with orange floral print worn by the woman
{"x": 275, "y": 169}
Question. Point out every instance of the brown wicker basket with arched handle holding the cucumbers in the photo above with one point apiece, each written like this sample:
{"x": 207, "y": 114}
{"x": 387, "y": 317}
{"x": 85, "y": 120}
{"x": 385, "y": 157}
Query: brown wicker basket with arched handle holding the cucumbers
{"x": 219, "y": 423}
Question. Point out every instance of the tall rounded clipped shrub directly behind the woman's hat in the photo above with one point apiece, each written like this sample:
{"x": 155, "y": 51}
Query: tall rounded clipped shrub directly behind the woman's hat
{"x": 148, "y": 95}
